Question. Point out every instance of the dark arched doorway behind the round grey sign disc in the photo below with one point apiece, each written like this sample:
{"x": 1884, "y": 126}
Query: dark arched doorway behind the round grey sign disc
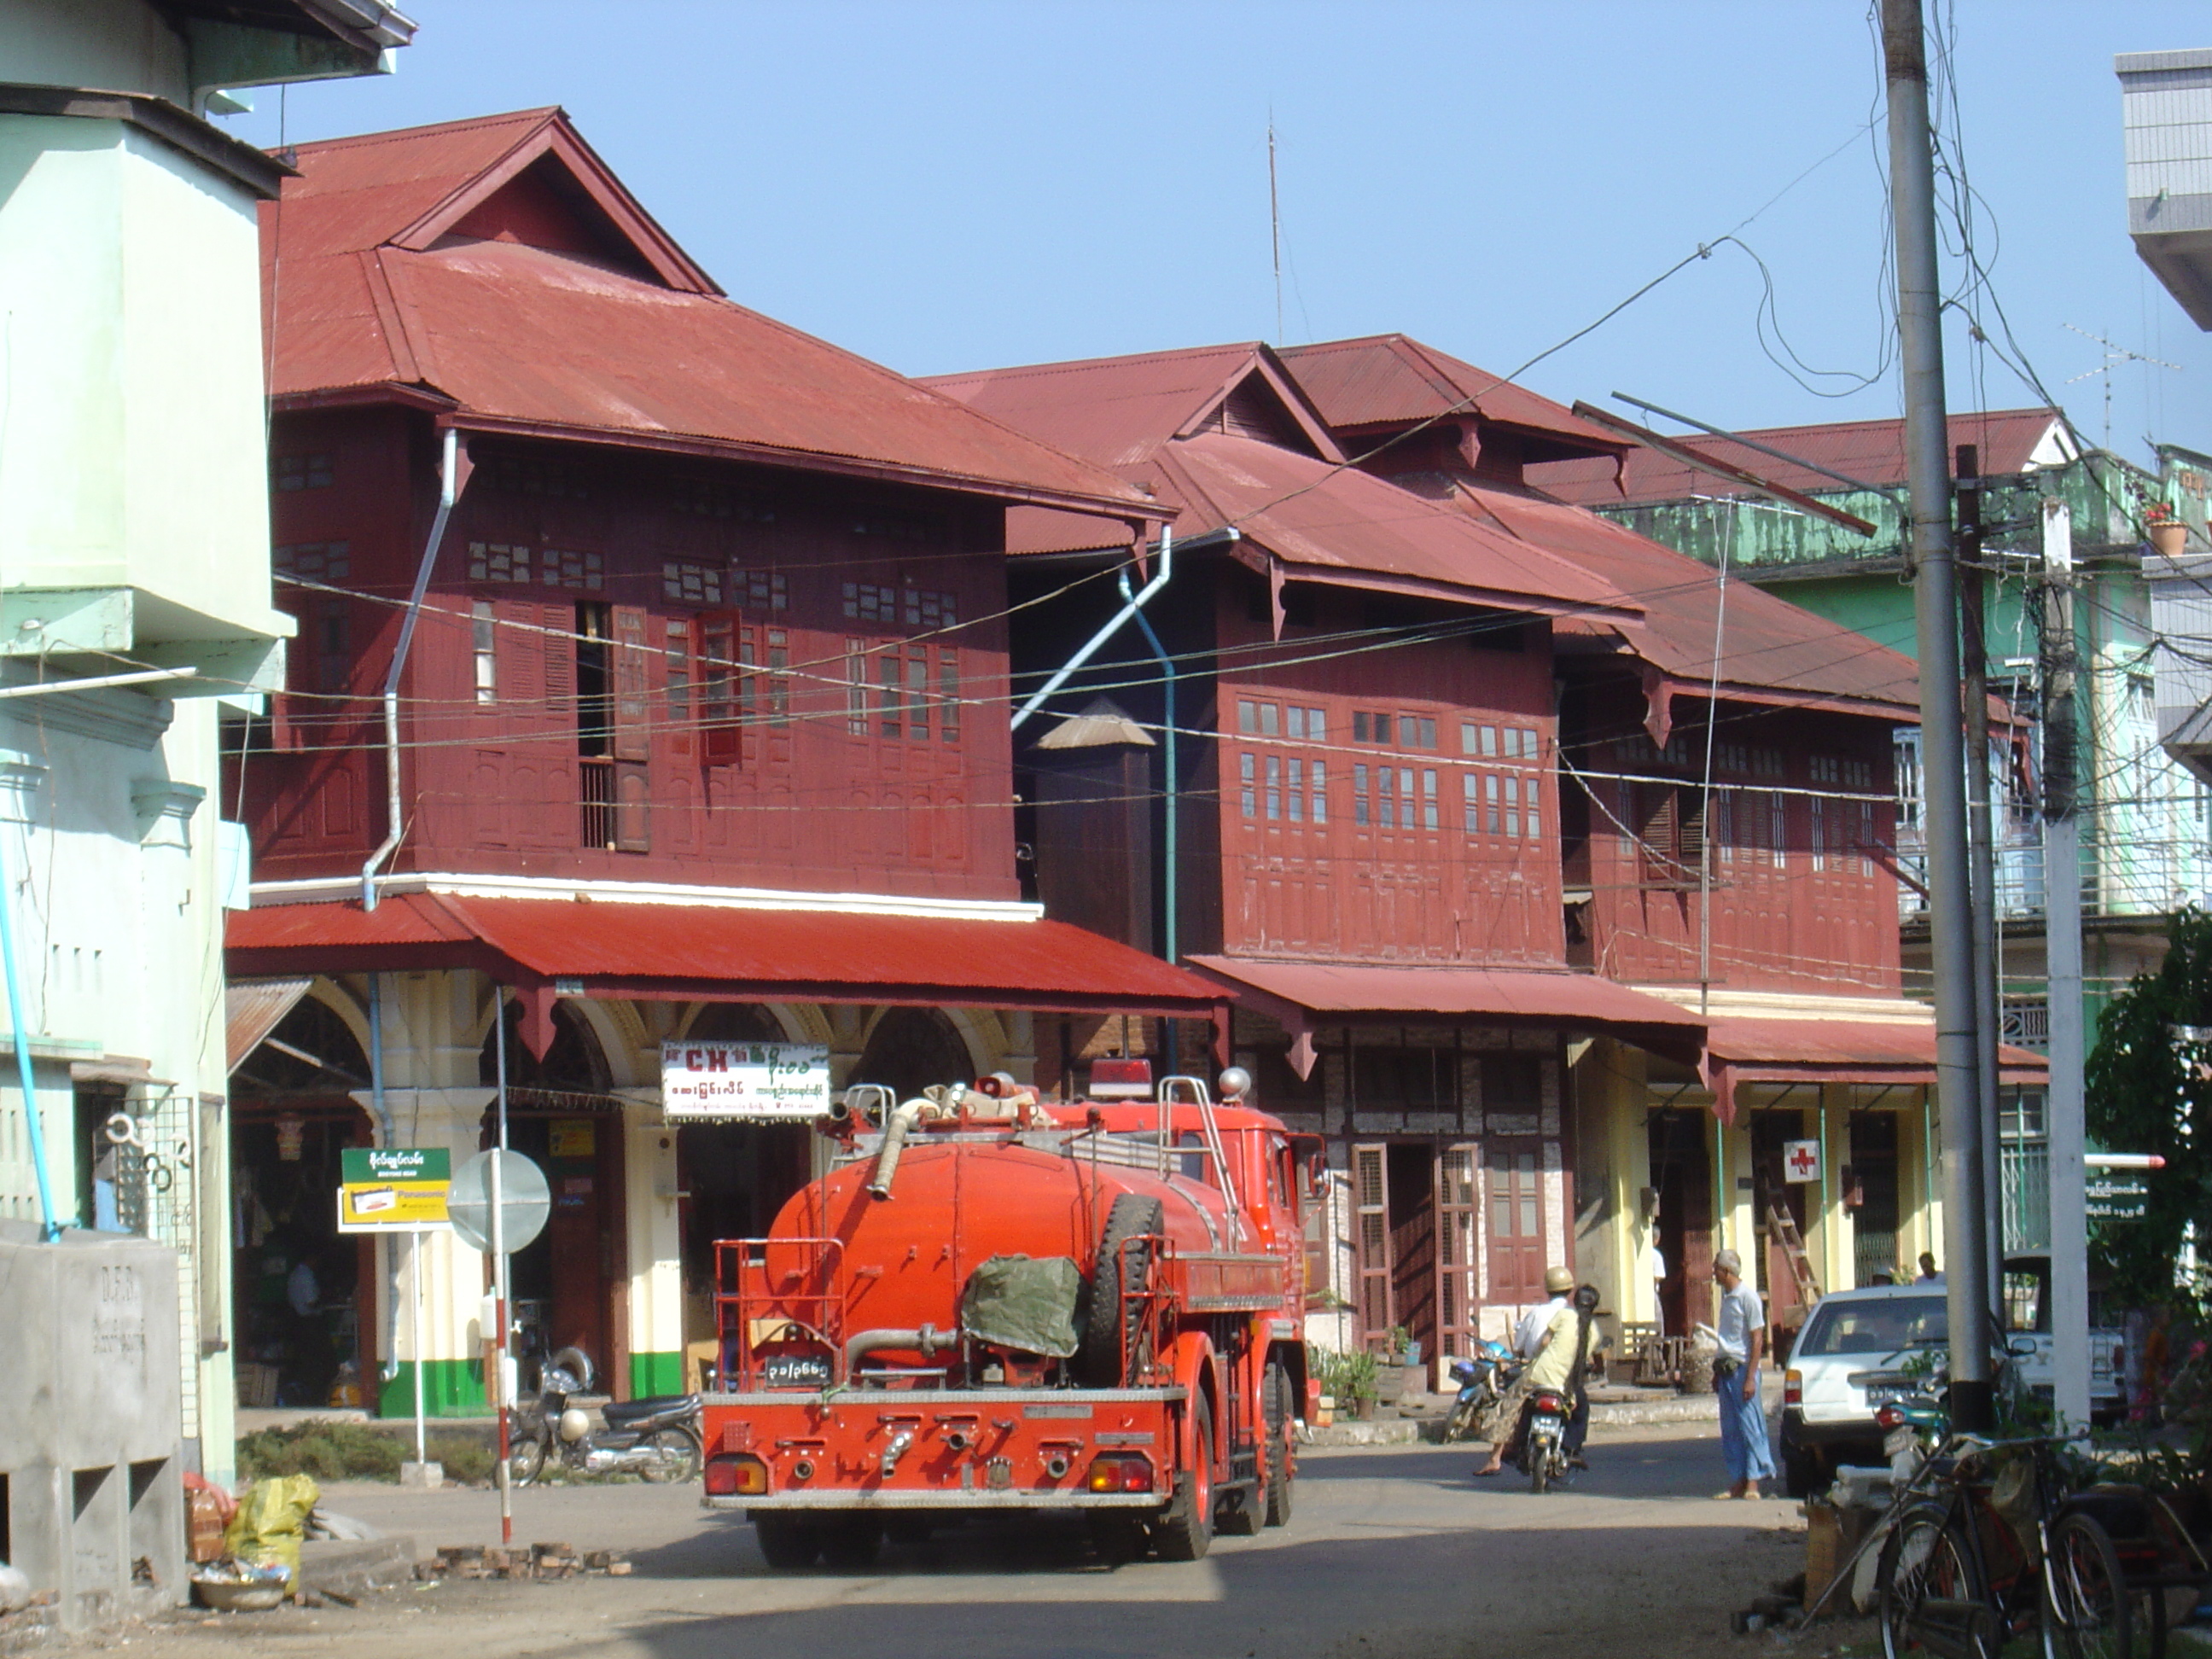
{"x": 572, "y": 1282}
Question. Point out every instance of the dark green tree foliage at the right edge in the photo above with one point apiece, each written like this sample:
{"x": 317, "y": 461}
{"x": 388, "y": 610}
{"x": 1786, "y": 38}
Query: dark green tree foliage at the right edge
{"x": 2151, "y": 1092}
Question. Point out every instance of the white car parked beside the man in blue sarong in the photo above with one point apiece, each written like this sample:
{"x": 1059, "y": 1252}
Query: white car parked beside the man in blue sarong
{"x": 1844, "y": 1368}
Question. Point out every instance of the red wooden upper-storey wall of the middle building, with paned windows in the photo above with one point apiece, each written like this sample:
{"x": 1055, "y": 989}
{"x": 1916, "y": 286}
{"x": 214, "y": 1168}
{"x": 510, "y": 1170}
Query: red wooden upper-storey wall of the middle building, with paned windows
{"x": 1437, "y": 835}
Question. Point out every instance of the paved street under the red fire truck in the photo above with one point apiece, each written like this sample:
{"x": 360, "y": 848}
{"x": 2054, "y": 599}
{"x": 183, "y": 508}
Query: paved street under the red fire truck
{"x": 1395, "y": 1554}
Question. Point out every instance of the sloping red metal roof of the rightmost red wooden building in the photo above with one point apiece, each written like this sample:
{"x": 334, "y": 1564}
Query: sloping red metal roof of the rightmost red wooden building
{"x": 1768, "y": 647}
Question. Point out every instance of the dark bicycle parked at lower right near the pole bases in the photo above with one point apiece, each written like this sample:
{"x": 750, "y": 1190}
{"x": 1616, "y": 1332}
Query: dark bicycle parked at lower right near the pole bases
{"x": 2005, "y": 1550}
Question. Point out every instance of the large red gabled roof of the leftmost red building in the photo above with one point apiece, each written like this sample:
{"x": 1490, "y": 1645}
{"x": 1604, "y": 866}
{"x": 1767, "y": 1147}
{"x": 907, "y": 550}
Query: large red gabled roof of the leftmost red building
{"x": 499, "y": 269}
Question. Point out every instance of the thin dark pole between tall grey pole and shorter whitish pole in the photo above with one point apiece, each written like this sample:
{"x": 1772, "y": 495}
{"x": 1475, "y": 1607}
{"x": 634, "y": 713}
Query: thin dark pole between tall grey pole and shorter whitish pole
{"x": 1981, "y": 839}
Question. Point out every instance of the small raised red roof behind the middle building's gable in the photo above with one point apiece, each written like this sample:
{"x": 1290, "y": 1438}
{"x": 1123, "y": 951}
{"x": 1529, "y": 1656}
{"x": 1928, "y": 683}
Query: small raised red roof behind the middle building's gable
{"x": 1392, "y": 379}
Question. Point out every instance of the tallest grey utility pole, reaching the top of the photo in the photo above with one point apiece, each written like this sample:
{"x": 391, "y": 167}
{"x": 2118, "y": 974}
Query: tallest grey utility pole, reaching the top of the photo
{"x": 1928, "y": 468}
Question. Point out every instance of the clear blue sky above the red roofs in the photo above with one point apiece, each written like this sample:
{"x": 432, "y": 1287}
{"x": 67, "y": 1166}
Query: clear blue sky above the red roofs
{"x": 950, "y": 187}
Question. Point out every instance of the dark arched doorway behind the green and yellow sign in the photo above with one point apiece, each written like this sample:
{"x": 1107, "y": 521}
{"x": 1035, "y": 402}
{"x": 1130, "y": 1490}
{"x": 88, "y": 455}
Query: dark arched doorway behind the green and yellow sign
{"x": 304, "y": 1293}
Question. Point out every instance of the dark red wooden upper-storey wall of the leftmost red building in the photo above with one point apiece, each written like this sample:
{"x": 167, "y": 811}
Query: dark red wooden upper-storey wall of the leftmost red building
{"x": 742, "y": 625}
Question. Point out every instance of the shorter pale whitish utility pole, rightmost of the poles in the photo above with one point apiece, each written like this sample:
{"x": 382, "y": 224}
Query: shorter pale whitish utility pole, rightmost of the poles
{"x": 2063, "y": 970}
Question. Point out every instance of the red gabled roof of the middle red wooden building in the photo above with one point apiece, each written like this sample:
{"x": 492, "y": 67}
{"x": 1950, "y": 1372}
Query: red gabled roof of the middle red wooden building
{"x": 1160, "y": 419}
